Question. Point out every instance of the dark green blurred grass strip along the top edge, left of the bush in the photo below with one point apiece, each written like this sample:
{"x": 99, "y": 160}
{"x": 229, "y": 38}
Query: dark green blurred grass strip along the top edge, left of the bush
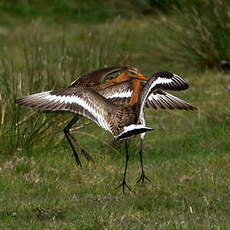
{"x": 93, "y": 11}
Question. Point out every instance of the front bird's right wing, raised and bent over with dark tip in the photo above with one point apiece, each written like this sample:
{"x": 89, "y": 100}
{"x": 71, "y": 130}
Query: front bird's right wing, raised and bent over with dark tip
{"x": 161, "y": 80}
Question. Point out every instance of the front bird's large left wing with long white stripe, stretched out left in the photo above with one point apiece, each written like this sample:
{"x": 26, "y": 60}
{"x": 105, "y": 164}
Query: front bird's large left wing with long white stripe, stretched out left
{"x": 80, "y": 100}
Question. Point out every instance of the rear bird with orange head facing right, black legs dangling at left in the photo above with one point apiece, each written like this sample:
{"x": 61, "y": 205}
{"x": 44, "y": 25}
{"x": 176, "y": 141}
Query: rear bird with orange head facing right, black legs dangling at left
{"x": 119, "y": 91}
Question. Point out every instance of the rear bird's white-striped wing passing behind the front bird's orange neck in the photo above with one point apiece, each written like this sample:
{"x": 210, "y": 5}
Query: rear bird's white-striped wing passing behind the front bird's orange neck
{"x": 157, "y": 99}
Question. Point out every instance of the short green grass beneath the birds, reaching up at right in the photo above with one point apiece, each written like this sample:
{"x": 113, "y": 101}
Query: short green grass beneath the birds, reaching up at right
{"x": 187, "y": 159}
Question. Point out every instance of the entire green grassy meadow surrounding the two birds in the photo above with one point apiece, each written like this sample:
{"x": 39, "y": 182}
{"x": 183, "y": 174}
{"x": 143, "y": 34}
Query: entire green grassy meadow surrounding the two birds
{"x": 186, "y": 156}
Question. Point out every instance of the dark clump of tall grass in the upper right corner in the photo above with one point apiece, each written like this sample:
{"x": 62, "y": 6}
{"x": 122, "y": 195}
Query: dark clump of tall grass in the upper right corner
{"x": 198, "y": 36}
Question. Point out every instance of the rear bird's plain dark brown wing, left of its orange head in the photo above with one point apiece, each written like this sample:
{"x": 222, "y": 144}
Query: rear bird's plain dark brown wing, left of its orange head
{"x": 97, "y": 76}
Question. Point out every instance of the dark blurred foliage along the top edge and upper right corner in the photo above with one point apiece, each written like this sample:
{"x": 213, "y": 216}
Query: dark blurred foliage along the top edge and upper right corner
{"x": 192, "y": 33}
